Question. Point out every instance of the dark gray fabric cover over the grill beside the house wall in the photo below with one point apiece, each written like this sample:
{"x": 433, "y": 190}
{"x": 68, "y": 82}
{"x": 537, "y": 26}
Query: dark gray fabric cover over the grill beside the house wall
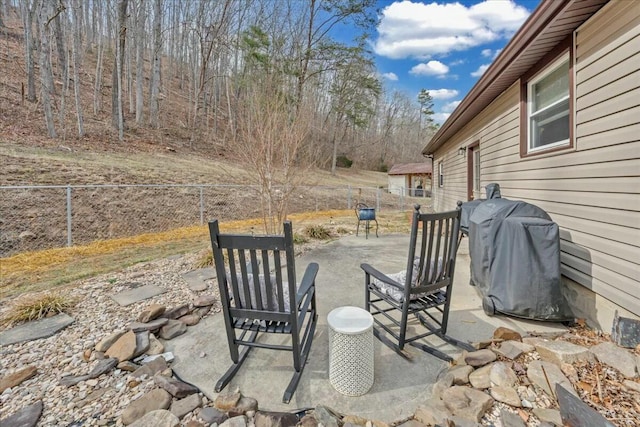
{"x": 515, "y": 259}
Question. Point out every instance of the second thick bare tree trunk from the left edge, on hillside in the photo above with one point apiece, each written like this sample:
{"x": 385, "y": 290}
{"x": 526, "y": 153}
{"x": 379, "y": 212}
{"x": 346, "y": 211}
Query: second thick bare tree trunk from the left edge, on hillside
{"x": 46, "y": 76}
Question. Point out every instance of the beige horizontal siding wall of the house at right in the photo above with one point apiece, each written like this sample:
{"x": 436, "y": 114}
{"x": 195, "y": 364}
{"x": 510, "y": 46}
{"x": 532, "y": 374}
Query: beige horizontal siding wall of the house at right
{"x": 593, "y": 190}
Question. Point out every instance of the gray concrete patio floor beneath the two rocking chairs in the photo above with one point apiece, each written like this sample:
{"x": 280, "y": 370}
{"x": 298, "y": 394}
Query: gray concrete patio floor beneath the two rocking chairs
{"x": 400, "y": 386}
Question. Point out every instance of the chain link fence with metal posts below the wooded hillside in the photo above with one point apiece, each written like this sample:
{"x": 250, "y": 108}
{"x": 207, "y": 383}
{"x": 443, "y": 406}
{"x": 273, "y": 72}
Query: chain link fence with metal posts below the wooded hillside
{"x": 45, "y": 217}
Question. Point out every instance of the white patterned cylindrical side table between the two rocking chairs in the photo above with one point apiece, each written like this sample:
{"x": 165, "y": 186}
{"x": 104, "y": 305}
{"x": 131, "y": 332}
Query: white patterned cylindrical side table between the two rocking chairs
{"x": 351, "y": 350}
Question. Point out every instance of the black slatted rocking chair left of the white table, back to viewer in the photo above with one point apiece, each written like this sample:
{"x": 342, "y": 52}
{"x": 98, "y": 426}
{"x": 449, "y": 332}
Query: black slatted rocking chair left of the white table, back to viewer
{"x": 257, "y": 281}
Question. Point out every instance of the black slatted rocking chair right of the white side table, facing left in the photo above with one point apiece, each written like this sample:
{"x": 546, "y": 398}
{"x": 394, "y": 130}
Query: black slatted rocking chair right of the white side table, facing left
{"x": 423, "y": 290}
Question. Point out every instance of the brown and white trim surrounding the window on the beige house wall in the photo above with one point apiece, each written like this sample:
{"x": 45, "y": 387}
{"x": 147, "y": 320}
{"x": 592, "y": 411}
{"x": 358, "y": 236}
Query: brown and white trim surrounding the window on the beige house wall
{"x": 546, "y": 65}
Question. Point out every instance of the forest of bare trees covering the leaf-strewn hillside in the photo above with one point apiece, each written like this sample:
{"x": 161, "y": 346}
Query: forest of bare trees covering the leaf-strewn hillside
{"x": 134, "y": 62}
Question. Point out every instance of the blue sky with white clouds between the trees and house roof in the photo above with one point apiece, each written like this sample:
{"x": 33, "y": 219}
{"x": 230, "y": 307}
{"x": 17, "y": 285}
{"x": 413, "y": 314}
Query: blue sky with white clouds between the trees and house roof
{"x": 443, "y": 46}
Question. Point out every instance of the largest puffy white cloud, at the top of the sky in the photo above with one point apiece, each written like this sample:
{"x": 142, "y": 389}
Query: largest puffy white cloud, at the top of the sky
{"x": 418, "y": 30}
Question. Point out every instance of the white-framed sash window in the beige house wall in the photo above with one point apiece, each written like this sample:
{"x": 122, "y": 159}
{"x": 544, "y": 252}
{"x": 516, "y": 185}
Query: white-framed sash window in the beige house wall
{"x": 548, "y": 107}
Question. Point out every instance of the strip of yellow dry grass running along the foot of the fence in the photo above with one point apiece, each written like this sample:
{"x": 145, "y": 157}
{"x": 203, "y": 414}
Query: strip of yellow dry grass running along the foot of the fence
{"x": 56, "y": 268}
